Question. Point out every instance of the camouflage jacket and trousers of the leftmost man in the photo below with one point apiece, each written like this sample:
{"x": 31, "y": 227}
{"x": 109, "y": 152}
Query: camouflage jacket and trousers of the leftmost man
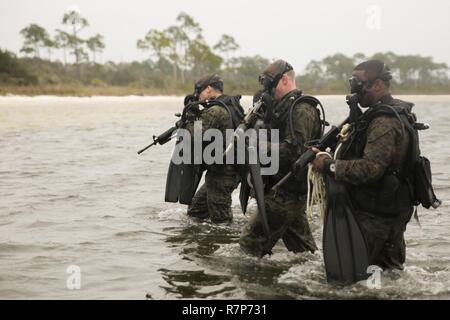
{"x": 213, "y": 198}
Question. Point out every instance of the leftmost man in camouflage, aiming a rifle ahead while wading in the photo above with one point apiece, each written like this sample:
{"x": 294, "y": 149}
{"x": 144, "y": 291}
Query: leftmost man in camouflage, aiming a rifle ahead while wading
{"x": 216, "y": 111}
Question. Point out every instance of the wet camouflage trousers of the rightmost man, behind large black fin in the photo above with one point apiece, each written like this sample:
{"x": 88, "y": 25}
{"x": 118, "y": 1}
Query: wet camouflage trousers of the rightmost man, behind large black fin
{"x": 385, "y": 238}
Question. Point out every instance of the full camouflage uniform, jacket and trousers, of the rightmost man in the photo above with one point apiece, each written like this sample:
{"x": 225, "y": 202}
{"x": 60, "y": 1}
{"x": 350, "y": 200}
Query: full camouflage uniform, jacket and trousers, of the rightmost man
{"x": 384, "y": 149}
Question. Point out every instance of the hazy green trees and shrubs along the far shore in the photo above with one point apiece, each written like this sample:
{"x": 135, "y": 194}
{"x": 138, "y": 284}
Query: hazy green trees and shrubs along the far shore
{"x": 177, "y": 57}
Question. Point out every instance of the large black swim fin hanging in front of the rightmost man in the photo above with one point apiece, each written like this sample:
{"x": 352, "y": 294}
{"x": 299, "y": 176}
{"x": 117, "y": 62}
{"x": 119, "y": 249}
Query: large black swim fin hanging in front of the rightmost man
{"x": 344, "y": 247}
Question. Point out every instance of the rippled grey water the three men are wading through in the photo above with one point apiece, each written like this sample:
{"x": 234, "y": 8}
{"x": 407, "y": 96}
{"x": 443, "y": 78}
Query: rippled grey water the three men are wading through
{"x": 74, "y": 192}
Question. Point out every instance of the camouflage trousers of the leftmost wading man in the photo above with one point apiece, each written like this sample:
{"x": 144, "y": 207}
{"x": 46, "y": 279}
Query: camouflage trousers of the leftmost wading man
{"x": 213, "y": 199}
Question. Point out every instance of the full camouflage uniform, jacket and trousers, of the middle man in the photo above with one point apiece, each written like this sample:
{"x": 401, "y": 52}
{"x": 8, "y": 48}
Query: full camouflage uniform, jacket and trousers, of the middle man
{"x": 285, "y": 209}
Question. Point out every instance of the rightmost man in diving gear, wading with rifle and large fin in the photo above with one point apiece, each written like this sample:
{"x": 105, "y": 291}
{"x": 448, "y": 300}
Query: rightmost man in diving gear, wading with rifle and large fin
{"x": 374, "y": 179}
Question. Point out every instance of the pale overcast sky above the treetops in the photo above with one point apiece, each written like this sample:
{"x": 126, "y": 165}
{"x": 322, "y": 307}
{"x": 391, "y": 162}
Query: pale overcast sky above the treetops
{"x": 297, "y": 31}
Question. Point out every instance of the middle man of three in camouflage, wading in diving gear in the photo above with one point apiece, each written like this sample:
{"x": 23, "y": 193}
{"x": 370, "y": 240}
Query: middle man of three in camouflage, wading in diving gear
{"x": 297, "y": 119}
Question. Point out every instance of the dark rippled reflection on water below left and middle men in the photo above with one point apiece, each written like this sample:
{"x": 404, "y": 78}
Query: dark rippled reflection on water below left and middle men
{"x": 225, "y": 271}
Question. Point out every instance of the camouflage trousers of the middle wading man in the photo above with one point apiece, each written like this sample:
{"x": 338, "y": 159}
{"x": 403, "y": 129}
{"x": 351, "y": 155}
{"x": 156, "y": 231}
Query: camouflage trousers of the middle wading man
{"x": 287, "y": 221}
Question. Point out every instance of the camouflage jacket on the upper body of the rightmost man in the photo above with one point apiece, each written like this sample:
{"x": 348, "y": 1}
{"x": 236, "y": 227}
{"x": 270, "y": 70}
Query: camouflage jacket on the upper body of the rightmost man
{"x": 375, "y": 168}
